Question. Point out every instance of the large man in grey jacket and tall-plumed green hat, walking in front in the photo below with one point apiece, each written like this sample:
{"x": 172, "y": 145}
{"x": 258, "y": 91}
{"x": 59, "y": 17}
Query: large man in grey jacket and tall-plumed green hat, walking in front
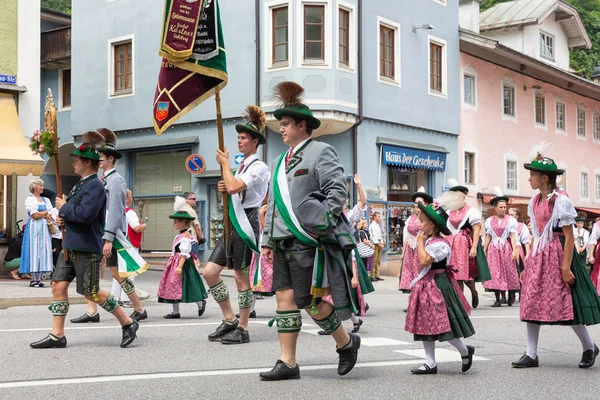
{"x": 307, "y": 238}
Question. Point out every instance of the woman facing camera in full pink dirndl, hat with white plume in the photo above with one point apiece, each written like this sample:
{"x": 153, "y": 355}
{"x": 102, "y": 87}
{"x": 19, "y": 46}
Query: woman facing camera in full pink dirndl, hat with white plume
{"x": 502, "y": 252}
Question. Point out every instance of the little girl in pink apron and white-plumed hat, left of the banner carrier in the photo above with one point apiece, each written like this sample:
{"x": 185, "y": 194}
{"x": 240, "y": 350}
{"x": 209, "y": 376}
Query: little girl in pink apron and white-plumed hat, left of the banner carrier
{"x": 180, "y": 281}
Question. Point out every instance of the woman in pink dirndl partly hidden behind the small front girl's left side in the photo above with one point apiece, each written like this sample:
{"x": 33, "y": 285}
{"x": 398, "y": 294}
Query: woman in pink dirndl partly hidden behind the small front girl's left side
{"x": 410, "y": 258}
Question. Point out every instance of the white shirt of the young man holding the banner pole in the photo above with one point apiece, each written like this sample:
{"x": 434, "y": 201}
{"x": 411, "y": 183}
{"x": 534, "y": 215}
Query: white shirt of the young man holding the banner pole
{"x": 256, "y": 177}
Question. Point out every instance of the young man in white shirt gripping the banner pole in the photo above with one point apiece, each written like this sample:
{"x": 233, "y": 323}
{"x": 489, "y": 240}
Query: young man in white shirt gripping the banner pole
{"x": 247, "y": 189}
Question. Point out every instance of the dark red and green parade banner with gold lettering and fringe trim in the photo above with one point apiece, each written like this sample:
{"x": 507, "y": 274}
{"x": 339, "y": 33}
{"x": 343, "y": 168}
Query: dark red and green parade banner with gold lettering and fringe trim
{"x": 182, "y": 85}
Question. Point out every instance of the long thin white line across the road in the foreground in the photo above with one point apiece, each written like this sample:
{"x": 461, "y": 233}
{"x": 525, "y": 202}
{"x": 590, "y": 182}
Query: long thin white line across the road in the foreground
{"x": 191, "y": 374}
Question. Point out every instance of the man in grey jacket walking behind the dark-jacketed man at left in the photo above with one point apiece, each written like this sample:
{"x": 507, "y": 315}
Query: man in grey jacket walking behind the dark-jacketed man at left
{"x": 115, "y": 231}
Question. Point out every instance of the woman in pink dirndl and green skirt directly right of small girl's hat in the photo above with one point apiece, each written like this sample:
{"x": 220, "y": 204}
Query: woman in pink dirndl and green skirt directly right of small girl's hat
{"x": 464, "y": 224}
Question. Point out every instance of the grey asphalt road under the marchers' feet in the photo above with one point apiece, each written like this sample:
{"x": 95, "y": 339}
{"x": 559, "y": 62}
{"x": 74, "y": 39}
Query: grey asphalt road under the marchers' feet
{"x": 172, "y": 359}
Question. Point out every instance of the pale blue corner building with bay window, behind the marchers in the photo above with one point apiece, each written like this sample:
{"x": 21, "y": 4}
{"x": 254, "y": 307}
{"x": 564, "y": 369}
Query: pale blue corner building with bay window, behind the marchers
{"x": 373, "y": 82}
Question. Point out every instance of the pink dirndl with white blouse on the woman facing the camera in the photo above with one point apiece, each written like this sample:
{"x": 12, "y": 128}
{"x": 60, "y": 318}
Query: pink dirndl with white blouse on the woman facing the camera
{"x": 499, "y": 254}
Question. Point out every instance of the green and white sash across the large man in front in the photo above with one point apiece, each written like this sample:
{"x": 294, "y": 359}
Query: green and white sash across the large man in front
{"x": 283, "y": 203}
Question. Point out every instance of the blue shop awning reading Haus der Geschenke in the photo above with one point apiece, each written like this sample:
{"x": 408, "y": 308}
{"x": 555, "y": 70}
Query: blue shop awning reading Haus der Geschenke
{"x": 413, "y": 155}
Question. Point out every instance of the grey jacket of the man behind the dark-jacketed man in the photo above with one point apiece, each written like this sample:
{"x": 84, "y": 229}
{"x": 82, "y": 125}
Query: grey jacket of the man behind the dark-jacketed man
{"x": 115, "y": 205}
